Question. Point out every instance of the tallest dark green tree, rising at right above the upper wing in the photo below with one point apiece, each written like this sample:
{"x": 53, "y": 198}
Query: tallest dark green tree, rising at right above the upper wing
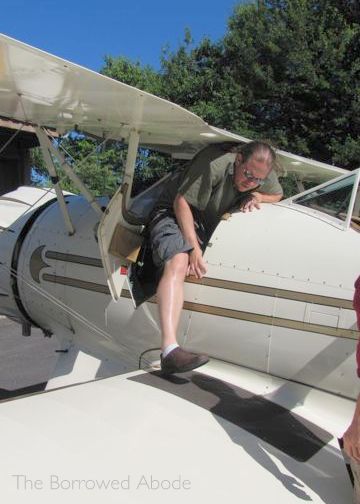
{"x": 300, "y": 61}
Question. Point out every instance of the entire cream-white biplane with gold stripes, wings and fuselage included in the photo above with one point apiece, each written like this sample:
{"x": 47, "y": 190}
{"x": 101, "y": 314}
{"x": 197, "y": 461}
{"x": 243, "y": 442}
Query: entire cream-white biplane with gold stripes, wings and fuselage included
{"x": 274, "y": 313}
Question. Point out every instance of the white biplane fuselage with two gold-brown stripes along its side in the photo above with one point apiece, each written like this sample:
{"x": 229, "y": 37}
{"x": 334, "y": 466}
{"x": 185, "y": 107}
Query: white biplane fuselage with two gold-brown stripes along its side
{"x": 277, "y": 296}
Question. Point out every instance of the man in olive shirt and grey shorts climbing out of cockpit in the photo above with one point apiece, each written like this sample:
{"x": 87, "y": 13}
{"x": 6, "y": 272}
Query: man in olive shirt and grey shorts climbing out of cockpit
{"x": 190, "y": 207}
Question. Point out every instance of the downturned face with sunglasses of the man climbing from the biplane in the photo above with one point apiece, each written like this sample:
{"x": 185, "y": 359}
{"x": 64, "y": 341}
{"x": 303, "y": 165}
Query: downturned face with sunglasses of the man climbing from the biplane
{"x": 250, "y": 174}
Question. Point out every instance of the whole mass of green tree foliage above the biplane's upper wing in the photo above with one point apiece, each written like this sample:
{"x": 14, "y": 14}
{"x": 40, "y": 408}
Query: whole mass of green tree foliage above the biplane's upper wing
{"x": 285, "y": 70}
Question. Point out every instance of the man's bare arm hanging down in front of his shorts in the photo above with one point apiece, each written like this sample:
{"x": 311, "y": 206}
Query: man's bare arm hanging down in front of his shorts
{"x": 184, "y": 216}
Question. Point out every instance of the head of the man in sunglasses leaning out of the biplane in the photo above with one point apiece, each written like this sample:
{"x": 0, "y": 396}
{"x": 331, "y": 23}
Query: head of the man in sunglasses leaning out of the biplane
{"x": 253, "y": 164}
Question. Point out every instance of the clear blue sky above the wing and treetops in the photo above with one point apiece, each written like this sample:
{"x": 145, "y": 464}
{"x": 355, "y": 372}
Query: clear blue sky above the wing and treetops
{"x": 84, "y": 32}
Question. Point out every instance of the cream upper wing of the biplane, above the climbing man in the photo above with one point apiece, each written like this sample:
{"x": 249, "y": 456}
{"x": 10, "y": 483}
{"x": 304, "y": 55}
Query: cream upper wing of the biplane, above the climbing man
{"x": 41, "y": 89}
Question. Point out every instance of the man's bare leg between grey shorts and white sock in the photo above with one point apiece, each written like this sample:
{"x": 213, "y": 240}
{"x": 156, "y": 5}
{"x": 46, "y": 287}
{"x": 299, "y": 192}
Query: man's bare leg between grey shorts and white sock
{"x": 170, "y": 297}
